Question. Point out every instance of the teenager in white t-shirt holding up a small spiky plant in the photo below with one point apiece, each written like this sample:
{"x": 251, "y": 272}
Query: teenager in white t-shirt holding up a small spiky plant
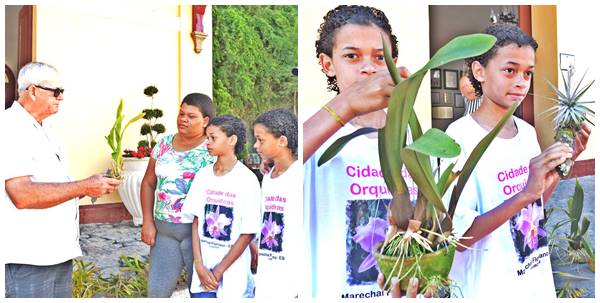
{"x": 500, "y": 212}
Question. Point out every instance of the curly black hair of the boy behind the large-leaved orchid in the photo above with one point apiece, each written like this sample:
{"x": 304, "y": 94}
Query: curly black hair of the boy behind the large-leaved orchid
{"x": 350, "y": 14}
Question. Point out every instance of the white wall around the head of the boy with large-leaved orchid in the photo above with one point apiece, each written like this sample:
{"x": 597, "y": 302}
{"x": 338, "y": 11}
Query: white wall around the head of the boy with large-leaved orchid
{"x": 410, "y": 23}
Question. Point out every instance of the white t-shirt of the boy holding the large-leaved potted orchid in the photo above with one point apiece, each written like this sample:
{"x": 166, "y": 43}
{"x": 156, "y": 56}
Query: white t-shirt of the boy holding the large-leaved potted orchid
{"x": 345, "y": 205}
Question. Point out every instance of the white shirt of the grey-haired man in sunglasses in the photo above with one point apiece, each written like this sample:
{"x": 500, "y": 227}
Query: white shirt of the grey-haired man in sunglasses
{"x": 36, "y": 236}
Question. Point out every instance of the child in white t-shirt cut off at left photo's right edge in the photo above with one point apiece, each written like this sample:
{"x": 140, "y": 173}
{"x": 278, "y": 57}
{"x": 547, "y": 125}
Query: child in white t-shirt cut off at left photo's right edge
{"x": 279, "y": 245}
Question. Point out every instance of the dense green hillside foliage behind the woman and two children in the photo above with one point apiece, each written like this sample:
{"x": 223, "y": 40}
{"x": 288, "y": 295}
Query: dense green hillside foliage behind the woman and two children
{"x": 254, "y": 51}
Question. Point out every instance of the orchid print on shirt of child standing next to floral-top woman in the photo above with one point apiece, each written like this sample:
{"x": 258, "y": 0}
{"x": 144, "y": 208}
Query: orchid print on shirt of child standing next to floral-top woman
{"x": 218, "y": 222}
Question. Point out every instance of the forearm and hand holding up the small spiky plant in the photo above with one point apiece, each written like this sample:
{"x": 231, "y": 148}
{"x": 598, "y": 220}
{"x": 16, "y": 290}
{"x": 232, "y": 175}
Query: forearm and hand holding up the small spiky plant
{"x": 541, "y": 178}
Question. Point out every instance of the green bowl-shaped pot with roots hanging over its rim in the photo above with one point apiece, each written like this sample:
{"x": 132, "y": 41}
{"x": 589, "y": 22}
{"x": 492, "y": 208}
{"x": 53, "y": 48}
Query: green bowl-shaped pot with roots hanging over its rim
{"x": 437, "y": 263}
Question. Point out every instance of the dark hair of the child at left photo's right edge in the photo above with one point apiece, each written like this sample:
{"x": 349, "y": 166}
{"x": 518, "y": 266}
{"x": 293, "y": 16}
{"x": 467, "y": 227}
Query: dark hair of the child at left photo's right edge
{"x": 281, "y": 122}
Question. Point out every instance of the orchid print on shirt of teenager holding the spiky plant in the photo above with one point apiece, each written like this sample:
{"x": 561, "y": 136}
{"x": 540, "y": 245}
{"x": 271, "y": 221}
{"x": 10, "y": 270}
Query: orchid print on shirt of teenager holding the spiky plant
{"x": 527, "y": 229}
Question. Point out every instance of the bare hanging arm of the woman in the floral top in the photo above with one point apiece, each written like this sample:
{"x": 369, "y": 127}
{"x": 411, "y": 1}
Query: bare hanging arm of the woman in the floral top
{"x": 147, "y": 201}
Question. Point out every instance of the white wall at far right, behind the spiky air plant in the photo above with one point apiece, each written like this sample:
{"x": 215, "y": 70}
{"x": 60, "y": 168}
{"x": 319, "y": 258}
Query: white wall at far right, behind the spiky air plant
{"x": 577, "y": 35}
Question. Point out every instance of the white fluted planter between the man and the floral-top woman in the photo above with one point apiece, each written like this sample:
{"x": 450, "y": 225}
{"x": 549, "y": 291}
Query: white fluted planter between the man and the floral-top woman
{"x": 129, "y": 190}
